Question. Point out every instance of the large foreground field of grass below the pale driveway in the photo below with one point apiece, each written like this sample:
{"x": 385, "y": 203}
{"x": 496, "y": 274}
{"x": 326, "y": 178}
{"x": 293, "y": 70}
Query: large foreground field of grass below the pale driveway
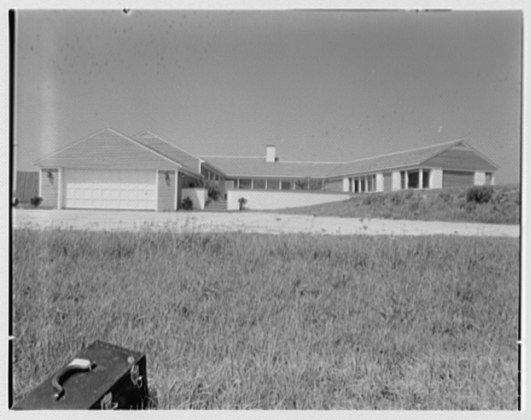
{"x": 286, "y": 321}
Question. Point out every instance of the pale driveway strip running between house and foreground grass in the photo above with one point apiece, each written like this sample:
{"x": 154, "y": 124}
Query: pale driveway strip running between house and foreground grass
{"x": 247, "y": 222}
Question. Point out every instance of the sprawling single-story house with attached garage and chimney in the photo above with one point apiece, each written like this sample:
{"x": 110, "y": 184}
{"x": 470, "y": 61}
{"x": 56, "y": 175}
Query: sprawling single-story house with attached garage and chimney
{"x": 145, "y": 172}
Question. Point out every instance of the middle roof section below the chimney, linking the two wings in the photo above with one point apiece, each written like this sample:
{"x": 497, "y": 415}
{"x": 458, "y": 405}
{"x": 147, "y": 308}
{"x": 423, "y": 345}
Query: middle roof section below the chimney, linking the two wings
{"x": 256, "y": 166}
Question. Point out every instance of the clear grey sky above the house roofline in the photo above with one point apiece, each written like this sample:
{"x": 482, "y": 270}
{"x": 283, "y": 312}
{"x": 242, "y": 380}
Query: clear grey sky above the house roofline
{"x": 329, "y": 86}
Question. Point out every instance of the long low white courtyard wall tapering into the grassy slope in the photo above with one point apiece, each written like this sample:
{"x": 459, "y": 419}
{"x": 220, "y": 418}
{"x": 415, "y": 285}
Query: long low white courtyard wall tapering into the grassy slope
{"x": 270, "y": 200}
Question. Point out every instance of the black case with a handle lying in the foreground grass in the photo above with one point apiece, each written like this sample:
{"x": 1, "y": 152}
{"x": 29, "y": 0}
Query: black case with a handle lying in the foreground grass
{"x": 102, "y": 376}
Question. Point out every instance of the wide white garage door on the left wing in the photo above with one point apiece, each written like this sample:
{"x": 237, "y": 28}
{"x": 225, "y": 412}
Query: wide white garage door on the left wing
{"x": 97, "y": 189}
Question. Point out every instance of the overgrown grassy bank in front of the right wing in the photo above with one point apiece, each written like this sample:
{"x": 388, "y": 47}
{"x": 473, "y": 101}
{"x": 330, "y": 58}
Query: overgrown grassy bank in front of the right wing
{"x": 445, "y": 205}
